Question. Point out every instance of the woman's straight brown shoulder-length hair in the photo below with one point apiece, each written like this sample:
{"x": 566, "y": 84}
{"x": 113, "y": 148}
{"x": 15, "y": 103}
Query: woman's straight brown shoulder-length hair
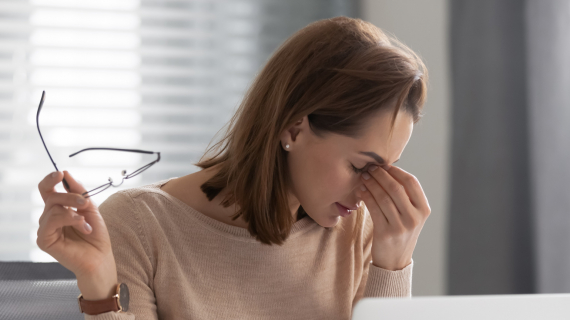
{"x": 339, "y": 72}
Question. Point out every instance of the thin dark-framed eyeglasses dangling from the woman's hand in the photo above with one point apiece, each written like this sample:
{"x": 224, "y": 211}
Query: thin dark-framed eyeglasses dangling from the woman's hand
{"x": 110, "y": 183}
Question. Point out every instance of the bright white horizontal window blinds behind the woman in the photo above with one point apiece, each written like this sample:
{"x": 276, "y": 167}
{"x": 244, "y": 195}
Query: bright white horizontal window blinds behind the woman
{"x": 154, "y": 75}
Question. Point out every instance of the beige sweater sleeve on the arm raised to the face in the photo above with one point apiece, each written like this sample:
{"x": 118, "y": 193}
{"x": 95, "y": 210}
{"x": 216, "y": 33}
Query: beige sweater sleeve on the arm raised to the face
{"x": 379, "y": 282}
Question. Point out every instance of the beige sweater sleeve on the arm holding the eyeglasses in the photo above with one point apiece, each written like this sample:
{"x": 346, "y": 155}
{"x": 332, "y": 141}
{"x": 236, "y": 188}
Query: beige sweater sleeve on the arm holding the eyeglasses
{"x": 133, "y": 258}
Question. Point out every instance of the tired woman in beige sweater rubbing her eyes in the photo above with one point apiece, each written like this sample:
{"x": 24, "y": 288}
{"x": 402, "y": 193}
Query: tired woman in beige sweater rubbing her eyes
{"x": 273, "y": 226}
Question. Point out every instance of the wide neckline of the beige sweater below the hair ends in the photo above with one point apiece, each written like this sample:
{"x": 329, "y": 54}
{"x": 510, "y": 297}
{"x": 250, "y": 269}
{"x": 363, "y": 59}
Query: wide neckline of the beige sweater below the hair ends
{"x": 304, "y": 224}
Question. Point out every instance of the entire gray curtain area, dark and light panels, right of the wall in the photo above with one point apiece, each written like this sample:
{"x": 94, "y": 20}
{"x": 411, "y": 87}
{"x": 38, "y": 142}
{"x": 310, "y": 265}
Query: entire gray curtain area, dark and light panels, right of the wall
{"x": 510, "y": 209}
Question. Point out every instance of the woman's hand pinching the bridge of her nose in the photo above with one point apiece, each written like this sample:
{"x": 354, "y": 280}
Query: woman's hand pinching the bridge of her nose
{"x": 398, "y": 208}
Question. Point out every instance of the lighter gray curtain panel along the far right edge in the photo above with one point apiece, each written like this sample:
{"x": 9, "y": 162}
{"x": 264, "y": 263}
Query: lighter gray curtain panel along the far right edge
{"x": 548, "y": 28}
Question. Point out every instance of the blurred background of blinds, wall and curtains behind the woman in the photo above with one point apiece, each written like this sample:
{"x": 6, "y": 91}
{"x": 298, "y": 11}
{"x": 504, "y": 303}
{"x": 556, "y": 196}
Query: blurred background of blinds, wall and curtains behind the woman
{"x": 492, "y": 151}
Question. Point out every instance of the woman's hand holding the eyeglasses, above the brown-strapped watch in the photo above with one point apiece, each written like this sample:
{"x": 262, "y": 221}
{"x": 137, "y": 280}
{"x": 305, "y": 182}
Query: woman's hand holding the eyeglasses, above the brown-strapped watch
{"x": 79, "y": 240}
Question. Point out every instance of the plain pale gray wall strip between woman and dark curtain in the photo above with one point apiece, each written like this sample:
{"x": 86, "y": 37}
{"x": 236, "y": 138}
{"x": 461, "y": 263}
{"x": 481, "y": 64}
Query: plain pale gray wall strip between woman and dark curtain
{"x": 423, "y": 26}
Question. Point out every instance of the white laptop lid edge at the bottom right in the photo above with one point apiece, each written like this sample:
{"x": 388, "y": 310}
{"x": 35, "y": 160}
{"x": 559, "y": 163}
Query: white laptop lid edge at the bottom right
{"x": 481, "y": 307}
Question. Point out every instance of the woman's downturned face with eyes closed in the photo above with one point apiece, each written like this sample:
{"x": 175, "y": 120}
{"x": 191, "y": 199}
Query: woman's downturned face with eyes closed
{"x": 322, "y": 169}
